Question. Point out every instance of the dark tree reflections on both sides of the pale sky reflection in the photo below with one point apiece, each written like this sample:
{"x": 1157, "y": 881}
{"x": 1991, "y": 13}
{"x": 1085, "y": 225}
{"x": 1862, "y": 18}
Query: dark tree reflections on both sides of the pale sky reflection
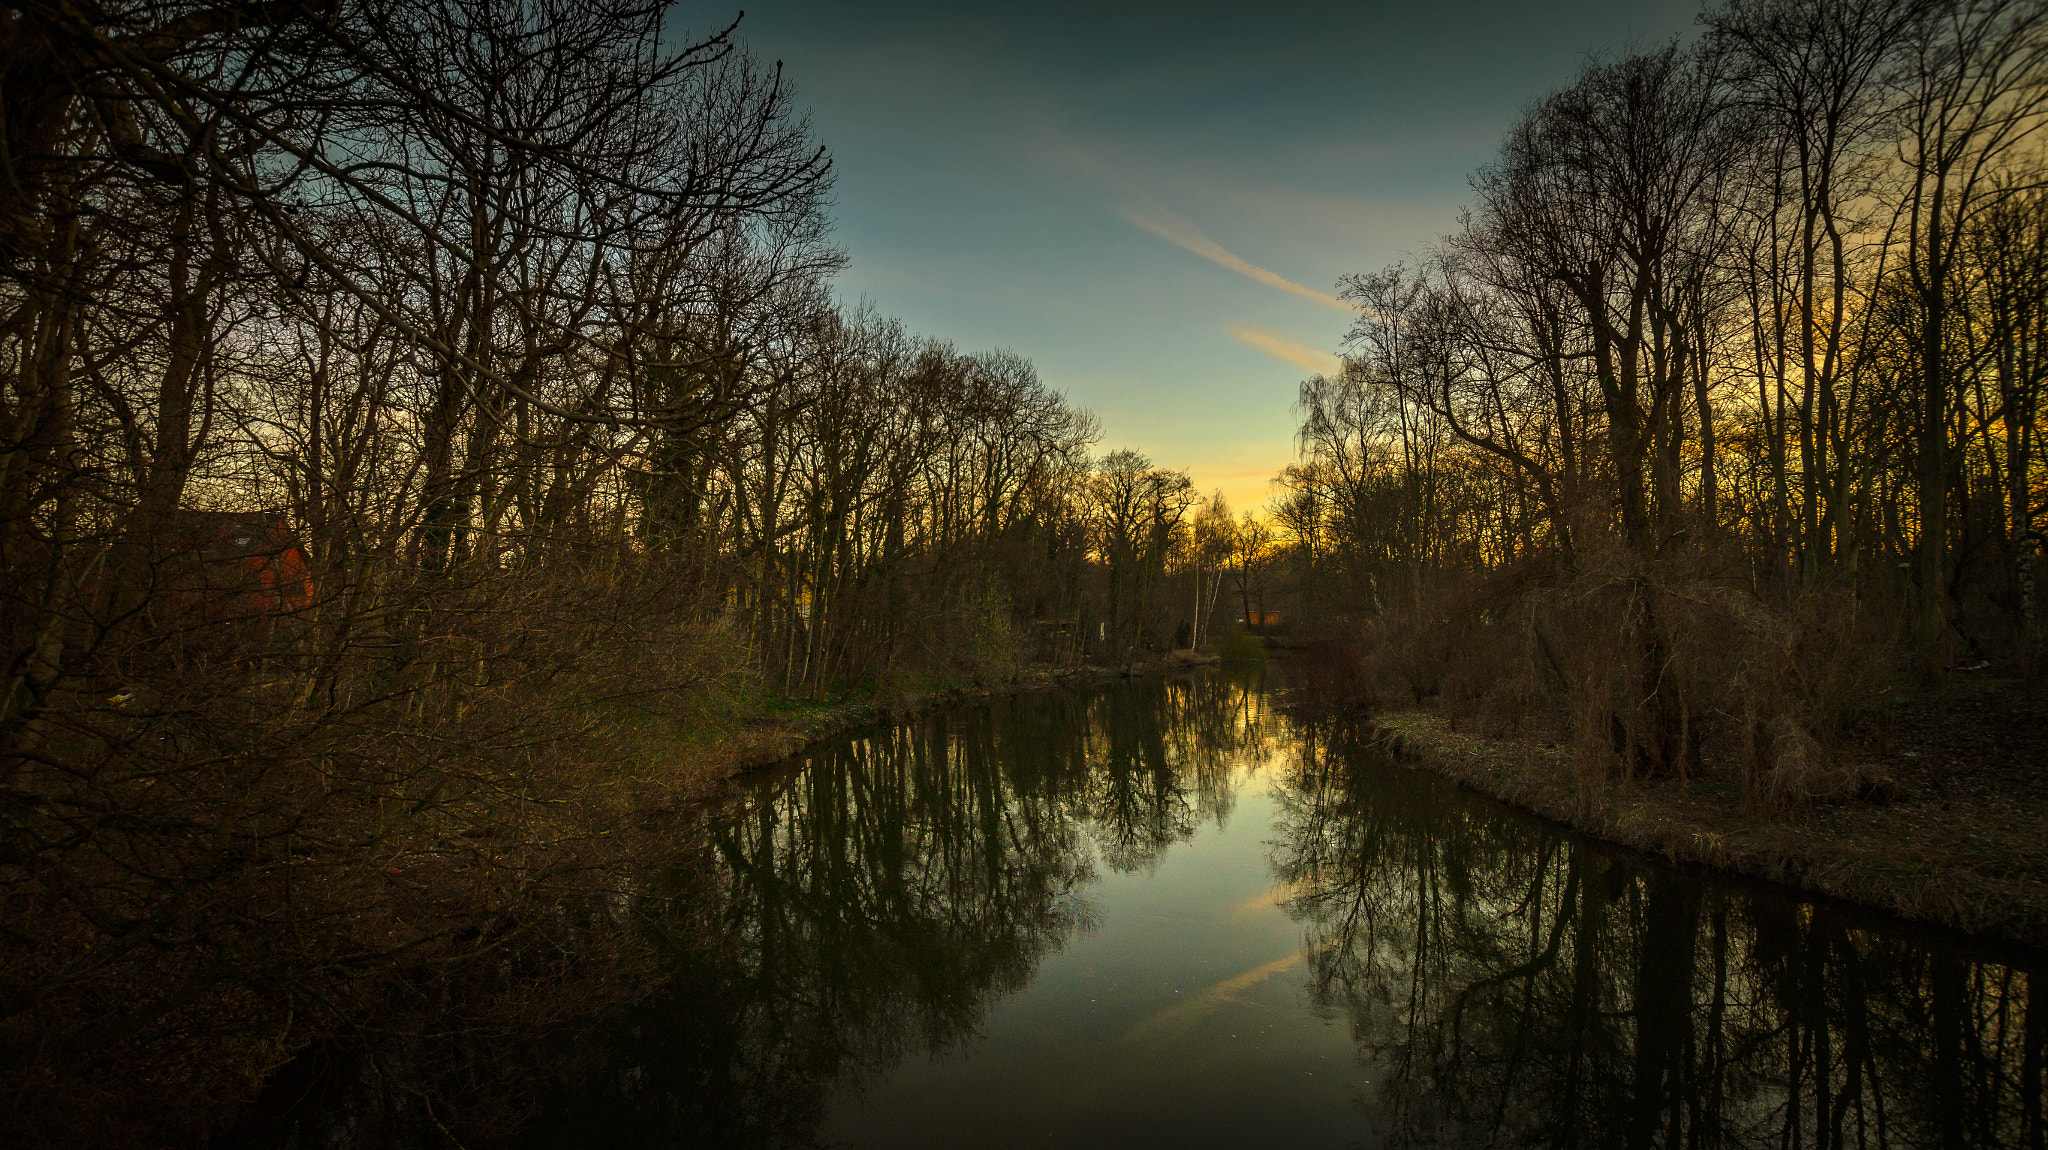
{"x": 1506, "y": 983}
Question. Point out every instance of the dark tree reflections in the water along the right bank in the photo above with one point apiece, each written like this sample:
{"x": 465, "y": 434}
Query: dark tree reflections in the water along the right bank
{"x": 1514, "y": 985}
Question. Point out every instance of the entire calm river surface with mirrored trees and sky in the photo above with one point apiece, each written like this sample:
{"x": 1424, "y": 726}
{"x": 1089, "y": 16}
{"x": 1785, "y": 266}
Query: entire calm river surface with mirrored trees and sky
{"x": 1166, "y": 916}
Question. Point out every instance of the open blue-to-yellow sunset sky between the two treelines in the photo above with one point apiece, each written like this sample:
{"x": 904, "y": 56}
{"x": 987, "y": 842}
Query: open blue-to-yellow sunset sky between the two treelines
{"x": 1154, "y": 202}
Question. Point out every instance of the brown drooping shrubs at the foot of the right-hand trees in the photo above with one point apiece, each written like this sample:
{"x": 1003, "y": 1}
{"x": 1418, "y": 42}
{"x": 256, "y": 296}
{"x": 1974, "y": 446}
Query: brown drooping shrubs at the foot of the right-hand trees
{"x": 1668, "y": 668}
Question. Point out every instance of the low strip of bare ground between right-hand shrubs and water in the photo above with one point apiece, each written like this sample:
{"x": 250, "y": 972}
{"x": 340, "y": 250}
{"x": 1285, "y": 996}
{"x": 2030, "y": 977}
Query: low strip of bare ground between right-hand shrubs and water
{"x": 1949, "y": 830}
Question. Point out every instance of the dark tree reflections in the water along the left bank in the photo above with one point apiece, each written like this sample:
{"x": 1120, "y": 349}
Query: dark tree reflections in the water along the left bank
{"x": 876, "y": 899}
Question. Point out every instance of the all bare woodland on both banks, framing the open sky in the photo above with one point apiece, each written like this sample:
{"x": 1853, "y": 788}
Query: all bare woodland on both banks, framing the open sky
{"x": 429, "y": 427}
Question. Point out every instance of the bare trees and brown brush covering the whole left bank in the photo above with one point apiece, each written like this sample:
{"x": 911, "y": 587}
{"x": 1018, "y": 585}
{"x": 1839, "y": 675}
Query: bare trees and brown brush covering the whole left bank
{"x": 413, "y": 421}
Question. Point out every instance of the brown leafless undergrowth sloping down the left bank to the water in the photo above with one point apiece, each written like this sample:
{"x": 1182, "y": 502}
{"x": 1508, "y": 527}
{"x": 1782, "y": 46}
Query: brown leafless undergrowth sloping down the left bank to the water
{"x": 413, "y": 881}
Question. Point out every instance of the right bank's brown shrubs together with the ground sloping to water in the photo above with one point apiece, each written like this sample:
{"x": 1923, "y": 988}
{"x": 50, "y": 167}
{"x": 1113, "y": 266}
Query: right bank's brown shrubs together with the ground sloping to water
{"x": 1672, "y": 707}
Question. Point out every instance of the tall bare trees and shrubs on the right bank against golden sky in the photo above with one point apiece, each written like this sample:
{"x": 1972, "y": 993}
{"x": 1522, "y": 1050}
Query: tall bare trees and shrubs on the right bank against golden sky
{"x": 1721, "y": 406}
